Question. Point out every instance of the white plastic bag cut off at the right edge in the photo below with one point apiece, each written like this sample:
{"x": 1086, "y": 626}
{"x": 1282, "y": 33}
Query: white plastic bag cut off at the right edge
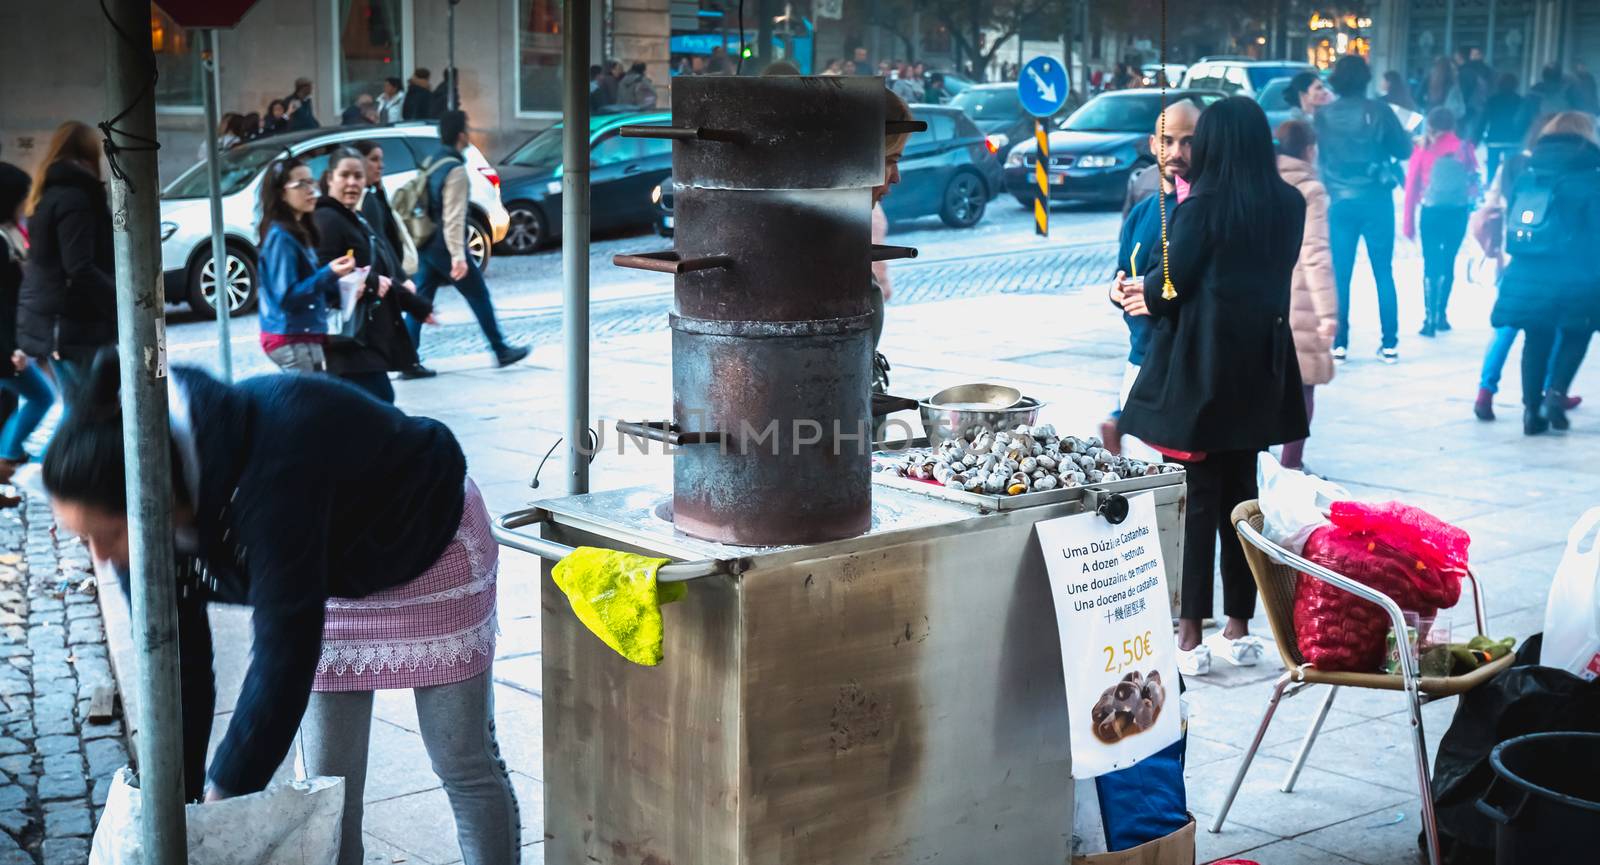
{"x": 1572, "y": 618}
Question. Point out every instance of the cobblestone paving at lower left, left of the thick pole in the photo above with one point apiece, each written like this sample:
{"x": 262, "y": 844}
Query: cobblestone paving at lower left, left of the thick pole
{"x": 57, "y": 763}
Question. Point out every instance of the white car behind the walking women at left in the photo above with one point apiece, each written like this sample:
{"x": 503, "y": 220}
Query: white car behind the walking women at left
{"x": 186, "y": 210}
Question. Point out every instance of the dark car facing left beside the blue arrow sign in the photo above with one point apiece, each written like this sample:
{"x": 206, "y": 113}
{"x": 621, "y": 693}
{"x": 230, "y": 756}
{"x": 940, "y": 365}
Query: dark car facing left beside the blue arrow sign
{"x": 1097, "y": 148}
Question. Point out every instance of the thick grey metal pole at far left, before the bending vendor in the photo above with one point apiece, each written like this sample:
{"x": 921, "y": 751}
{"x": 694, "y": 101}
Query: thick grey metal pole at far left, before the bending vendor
{"x": 142, "y": 345}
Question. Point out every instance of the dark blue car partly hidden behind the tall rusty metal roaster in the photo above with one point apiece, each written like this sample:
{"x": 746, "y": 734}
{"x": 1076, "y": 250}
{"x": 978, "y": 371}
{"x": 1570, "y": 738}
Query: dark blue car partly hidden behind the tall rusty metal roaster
{"x": 948, "y": 172}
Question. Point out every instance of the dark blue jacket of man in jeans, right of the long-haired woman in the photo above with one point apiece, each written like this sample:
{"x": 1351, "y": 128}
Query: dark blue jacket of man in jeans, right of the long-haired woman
{"x": 1358, "y": 140}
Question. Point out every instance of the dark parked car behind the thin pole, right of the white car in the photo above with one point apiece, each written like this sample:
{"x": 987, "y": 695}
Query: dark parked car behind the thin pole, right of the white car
{"x": 622, "y": 175}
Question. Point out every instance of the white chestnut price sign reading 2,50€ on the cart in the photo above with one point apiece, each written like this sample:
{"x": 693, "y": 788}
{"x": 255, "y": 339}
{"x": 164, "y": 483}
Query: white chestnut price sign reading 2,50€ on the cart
{"x": 1118, "y": 648}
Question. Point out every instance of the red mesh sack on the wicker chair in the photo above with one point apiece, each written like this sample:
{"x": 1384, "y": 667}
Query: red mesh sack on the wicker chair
{"x": 1404, "y": 552}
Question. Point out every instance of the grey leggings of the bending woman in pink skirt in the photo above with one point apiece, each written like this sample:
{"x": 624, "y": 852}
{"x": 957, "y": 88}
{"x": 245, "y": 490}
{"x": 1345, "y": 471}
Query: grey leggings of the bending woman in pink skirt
{"x": 458, "y": 731}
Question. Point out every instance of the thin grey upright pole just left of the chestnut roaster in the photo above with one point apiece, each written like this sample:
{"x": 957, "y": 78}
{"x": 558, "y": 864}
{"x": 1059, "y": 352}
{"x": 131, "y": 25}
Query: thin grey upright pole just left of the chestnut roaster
{"x": 575, "y": 241}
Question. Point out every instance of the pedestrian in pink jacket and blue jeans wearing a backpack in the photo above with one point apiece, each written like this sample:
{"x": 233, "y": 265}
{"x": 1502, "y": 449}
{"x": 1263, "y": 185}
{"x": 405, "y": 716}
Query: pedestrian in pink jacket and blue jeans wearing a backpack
{"x": 1442, "y": 178}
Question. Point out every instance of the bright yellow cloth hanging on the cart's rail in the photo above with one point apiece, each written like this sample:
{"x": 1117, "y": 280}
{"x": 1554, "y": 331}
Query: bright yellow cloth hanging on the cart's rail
{"x": 617, "y": 597}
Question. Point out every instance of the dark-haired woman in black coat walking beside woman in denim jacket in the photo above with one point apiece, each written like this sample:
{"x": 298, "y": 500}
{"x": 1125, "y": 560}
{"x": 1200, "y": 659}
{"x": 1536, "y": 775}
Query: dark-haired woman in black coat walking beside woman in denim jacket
{"x": 383, "y": 345}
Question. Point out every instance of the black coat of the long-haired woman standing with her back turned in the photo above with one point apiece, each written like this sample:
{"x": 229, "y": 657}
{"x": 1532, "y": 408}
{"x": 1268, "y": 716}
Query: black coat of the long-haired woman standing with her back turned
{"x": 1222, "y": 372}
